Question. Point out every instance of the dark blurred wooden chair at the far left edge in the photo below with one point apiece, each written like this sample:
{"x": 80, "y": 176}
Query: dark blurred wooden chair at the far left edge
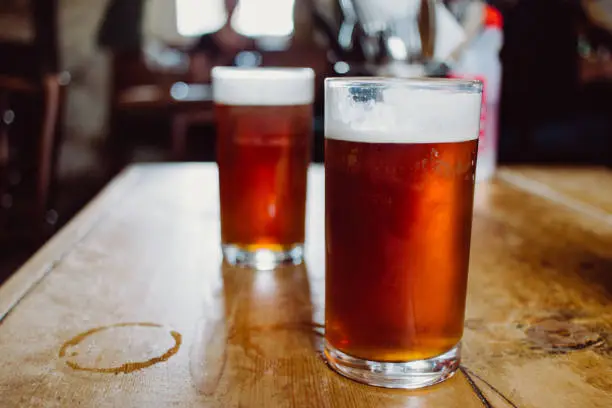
{"x": 31, "y": 104}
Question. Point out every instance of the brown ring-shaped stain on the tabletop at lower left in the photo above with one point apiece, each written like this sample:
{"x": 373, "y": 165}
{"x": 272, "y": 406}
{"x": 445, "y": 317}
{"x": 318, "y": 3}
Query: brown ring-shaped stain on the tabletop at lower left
{"x": 127, "y": 367}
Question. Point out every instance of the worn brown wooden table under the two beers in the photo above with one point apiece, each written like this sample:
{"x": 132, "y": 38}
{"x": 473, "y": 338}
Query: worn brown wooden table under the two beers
{"x": 177, "y": 328}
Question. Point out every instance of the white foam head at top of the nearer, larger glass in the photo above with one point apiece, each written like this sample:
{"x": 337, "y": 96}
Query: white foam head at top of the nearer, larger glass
{"x": 385, "y": 110}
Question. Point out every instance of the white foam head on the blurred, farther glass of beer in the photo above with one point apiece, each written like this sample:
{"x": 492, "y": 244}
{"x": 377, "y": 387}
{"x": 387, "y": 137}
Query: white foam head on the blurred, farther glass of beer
{"x": 263, "y": 86}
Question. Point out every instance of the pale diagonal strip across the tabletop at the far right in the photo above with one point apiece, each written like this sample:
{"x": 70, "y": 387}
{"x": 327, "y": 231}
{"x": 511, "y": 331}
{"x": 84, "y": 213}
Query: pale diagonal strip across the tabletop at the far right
{"x": 540, "y": 189}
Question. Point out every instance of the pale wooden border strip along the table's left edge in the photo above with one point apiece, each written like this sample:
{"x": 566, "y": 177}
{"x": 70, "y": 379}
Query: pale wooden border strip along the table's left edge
{"x": 130, "y": 179}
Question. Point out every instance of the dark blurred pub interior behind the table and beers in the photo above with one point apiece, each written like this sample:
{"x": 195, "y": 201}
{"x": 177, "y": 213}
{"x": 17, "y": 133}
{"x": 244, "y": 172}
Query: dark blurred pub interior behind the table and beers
{"x": 87, "y": 87}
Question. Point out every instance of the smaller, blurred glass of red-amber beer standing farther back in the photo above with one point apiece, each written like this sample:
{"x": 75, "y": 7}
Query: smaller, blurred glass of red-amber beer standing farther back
{"x": 264, "y": 132}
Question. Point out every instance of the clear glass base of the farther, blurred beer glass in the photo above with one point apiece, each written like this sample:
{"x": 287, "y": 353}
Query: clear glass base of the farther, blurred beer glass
{"x": 263, "y": 259}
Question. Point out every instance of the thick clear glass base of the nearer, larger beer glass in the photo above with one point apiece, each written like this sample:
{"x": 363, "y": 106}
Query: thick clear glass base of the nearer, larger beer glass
{"x": 408, "y": 375}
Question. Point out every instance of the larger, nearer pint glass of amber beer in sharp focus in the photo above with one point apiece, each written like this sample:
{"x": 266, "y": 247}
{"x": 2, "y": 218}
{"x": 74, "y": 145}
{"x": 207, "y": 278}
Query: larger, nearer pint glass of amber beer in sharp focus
{"x": 400, "y": 157}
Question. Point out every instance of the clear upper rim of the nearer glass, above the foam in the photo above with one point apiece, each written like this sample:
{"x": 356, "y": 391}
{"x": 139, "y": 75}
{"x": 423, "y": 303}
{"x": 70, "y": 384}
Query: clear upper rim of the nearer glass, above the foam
{"x": 434, "y": 84}
